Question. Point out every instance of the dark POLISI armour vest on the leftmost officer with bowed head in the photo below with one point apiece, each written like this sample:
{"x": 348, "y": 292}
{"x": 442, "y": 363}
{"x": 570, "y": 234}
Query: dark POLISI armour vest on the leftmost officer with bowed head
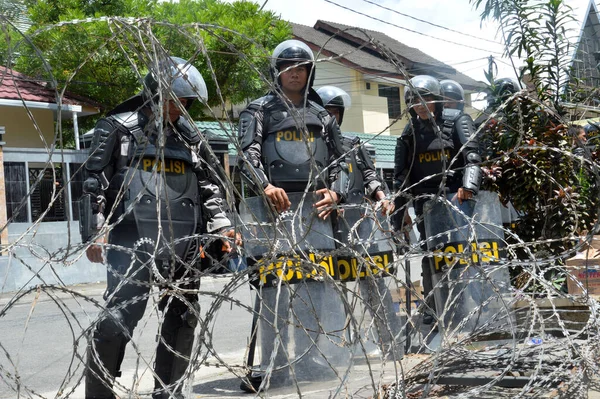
{"x": 158, "y": 188}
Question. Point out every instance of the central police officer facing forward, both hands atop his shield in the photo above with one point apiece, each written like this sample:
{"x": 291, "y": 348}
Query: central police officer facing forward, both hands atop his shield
{"x": 275, "y": 132}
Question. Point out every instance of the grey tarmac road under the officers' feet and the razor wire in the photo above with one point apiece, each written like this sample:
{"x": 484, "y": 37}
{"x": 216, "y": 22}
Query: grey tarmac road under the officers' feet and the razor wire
{"x": 38, "y": 331}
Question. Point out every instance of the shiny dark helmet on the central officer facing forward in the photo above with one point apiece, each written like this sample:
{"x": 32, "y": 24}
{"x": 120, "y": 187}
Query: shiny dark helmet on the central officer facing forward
{"x": 293, "y": 51}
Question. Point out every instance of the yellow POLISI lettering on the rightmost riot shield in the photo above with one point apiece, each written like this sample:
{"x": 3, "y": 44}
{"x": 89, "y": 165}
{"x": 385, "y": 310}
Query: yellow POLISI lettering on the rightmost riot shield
{"x": 480, "y": 252}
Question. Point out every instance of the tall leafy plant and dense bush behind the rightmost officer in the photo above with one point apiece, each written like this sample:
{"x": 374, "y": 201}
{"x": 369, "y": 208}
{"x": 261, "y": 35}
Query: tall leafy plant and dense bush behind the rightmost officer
{"x": 529, "y": 159}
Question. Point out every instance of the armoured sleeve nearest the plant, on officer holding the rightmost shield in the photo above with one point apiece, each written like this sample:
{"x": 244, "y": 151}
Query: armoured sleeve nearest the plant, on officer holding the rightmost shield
{"x": 470, "y": 149}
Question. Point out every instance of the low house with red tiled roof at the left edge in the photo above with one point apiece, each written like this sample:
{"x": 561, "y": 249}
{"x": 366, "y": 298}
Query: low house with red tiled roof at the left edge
{"x": 39, "y": 183}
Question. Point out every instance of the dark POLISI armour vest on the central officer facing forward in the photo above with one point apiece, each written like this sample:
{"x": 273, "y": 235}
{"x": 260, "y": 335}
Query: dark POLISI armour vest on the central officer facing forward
{"x": 294, "y": 150}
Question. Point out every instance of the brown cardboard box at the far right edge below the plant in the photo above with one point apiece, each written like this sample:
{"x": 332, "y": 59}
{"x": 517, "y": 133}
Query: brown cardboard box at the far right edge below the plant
{"x": 584, "y": 268}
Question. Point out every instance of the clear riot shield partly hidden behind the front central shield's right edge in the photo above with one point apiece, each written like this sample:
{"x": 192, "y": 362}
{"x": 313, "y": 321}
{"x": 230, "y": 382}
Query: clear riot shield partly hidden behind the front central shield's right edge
{"x": 366, "y": 254}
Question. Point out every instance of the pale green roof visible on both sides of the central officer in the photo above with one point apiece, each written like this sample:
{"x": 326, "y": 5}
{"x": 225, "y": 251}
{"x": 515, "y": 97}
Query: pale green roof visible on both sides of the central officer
{"x": 384, "y": 145}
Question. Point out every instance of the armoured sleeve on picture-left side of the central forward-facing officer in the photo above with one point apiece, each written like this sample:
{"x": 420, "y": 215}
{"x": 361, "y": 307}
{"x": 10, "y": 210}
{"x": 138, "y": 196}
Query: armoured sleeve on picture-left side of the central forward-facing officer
{"x": 250, "y": 131}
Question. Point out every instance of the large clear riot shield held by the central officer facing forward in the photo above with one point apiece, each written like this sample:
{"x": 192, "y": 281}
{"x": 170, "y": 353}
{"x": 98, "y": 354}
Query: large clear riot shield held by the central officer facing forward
{"x": 302, "y": 315}
